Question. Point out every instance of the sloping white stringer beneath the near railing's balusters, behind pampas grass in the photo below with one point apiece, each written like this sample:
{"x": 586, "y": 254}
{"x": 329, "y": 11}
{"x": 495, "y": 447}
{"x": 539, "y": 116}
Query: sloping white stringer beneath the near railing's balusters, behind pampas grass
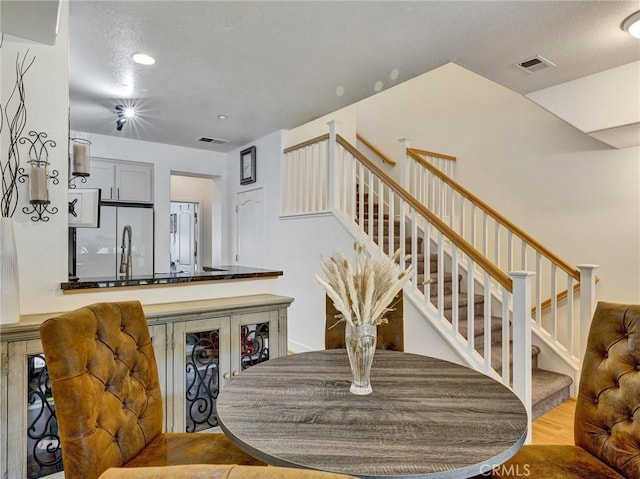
{"x": 428, "y": 312}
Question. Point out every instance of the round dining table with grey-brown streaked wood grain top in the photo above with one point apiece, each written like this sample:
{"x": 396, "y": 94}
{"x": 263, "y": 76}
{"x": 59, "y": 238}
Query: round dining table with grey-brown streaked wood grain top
{"x": 426, "y": 417}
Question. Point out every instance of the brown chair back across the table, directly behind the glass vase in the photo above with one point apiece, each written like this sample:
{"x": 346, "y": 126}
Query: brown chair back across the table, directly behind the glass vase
{"x": 390, "y": 334}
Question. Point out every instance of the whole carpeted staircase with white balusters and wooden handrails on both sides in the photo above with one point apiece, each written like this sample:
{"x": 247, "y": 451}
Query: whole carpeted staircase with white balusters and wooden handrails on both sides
{"x": 494, "y": 262}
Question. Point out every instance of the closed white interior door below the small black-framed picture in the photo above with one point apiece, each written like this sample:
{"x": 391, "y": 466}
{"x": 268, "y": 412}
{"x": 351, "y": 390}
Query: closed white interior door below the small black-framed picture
{"x": 251, "y": 224}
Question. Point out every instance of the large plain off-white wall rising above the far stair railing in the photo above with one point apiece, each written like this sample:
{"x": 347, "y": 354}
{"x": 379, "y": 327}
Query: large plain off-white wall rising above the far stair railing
{"x": 579, "y": 197}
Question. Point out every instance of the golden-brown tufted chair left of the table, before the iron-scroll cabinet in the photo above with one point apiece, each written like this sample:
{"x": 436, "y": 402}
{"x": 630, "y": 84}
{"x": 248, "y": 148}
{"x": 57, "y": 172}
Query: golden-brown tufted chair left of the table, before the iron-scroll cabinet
{"x": 105, "y": 386}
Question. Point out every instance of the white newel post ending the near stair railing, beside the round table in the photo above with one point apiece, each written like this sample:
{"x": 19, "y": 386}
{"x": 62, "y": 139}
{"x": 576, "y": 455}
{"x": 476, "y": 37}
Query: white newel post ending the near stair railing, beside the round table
{"x": 522, "y": 339}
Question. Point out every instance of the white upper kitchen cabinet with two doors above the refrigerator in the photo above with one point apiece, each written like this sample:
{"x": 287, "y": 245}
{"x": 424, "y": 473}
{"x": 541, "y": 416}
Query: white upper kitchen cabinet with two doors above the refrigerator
{"x": 121, "y": 180}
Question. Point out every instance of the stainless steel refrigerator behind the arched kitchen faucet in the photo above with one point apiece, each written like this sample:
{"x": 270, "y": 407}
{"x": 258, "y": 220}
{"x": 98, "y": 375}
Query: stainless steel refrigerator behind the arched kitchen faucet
{"x": 98, "y": 251}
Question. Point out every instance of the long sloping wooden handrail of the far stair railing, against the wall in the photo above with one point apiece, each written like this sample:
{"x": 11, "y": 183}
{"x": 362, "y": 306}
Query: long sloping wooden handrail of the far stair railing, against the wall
{"x": 566, "y": 267}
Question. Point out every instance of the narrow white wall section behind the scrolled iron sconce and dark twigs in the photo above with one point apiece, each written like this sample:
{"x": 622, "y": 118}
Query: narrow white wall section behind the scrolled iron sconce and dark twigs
{"x": 41, "y": 246}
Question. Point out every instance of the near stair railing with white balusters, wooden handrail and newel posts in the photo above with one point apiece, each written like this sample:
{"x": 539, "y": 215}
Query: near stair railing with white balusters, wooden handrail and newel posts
{"x": 385, "y": 216}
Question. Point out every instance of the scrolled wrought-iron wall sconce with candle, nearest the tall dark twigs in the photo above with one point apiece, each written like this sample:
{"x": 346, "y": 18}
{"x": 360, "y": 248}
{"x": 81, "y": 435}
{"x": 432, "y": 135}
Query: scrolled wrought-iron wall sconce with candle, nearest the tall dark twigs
{"x": 38, "y": 176}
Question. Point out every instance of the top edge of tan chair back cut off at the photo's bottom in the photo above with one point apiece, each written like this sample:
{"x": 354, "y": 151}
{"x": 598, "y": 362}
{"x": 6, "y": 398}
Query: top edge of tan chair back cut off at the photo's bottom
{"x": 218, "y": 472}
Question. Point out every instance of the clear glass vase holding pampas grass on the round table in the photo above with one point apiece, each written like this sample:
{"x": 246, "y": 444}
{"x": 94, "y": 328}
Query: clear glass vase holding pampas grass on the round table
{"x": 361, "y": 346}
